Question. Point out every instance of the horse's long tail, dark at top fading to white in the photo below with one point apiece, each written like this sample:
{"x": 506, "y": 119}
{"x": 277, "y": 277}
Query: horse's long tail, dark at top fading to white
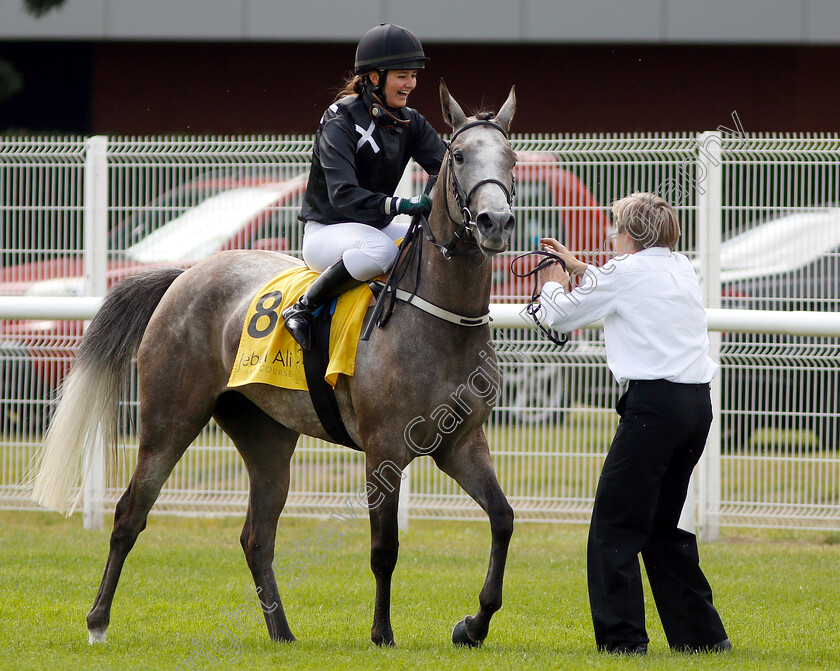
{"x": 87, "y": 413}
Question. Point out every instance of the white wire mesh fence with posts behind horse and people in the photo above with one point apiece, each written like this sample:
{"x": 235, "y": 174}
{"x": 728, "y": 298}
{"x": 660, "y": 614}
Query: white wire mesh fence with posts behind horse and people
{"x": 759, "y": 218}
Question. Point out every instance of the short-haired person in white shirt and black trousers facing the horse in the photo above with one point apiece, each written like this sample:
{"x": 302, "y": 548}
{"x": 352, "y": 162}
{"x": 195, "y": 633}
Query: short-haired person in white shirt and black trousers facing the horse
{"x": 657, "y": 348}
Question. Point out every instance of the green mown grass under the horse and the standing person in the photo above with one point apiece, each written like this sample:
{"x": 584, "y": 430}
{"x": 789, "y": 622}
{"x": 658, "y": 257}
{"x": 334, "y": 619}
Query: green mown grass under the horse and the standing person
{"x": 778, "y": 594}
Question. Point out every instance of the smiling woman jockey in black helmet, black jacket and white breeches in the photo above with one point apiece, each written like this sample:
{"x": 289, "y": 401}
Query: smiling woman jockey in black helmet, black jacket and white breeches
{"x": 364, "y": 142}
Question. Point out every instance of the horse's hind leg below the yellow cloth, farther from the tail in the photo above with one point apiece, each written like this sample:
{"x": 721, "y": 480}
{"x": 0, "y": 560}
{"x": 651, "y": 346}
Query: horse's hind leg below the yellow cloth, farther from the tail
{"x": 267, "y": 448}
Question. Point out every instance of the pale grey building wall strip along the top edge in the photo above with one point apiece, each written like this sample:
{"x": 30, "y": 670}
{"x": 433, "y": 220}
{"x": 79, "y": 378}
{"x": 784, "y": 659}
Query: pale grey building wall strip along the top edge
{"x": 447, "y": 21}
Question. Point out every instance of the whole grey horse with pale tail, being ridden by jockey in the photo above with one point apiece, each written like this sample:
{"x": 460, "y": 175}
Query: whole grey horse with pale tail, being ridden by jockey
{"x": 184, "y": 327}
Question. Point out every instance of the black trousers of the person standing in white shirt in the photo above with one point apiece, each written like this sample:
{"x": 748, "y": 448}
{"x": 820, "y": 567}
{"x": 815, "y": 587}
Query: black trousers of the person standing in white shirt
{"x": 640, "y": 494}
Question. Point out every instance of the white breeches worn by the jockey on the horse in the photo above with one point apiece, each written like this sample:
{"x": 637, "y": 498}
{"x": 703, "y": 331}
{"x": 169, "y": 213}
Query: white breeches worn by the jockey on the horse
{"x": 367, "y": 251}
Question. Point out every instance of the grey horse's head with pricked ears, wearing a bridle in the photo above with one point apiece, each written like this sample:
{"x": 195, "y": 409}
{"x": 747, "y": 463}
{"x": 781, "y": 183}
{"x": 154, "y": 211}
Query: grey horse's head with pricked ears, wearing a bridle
{"x": 479, "y": 172}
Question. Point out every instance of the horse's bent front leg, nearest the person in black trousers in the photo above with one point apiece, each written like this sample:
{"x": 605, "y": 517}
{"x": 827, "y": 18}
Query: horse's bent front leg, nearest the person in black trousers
{"x": 472, "y": 467}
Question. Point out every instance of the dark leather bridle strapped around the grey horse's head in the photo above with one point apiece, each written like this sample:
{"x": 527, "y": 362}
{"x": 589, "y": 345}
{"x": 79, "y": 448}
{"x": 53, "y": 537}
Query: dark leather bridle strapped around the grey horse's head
{"x": 463, "y": 198}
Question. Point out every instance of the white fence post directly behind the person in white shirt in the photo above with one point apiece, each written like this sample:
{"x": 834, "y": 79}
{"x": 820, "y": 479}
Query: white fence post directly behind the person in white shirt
{"x": 709, "y": 187}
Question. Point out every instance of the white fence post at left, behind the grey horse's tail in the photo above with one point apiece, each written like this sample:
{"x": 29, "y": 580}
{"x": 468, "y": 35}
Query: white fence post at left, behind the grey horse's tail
{"x": 96, "y": 267}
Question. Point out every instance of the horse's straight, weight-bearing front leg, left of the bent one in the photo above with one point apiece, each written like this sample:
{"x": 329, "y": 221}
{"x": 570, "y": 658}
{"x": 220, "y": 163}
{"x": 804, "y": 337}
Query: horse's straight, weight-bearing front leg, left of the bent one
{"x": 383, "y": 493}
